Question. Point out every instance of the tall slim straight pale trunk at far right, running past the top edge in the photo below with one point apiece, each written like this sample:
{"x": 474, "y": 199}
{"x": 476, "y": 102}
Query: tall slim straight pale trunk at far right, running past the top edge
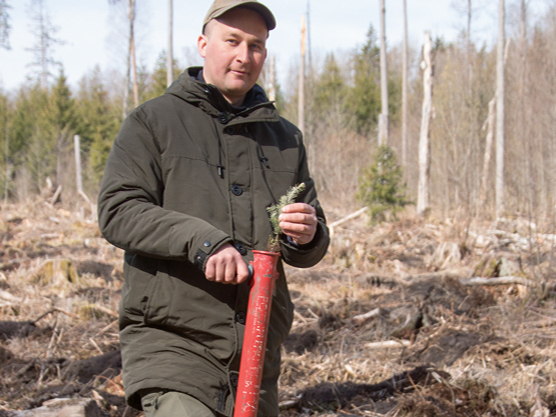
{"x": 500, "y": 86}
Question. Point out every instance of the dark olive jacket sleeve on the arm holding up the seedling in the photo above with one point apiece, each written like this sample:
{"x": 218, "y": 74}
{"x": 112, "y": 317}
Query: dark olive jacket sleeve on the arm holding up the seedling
{"x": 306, "y": 256}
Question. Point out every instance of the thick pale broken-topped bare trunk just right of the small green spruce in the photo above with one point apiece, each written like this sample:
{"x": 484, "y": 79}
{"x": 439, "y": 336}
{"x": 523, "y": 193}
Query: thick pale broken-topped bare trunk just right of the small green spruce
{"x": 424, "y": 138}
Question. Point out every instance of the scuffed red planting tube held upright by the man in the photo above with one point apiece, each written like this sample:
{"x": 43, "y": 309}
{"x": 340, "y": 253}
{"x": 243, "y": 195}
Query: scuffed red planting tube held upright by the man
{"x": 256, "y": 329}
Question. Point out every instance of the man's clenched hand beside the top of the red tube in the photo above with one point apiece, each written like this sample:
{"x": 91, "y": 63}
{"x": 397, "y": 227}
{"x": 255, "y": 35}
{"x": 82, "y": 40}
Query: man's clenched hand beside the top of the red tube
{"x": 226, "y": 266}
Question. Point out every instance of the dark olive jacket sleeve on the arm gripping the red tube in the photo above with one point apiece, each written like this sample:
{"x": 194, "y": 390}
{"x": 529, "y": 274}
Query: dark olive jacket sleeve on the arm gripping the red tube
{"x": 130, "y": 204}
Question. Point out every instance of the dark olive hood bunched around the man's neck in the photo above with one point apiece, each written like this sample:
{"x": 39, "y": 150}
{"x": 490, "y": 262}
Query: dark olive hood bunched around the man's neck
{"x": 206, "y": 96}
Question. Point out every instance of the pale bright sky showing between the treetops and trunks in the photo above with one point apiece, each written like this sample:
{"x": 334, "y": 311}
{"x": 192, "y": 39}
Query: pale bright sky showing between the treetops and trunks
{"x": 92, "y": 34}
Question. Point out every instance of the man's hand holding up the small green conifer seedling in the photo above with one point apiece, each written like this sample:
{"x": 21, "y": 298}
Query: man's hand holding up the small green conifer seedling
{"x": 299, "y": 222}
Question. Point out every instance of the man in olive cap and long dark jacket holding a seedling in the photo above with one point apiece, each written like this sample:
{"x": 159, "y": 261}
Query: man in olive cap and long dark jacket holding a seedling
{"x": 185, "y": 193}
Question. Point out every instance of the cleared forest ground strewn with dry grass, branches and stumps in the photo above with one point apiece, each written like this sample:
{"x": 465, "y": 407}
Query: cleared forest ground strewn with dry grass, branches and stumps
{"x": 388, "y": 324}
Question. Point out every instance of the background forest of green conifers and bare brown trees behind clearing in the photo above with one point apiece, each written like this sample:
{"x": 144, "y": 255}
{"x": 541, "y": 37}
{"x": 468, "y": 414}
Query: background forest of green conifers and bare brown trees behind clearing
{"x": 342, "y": 104}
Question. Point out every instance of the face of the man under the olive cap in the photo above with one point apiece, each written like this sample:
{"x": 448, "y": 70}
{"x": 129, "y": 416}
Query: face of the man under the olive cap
{"x": 234, "y": 49}
